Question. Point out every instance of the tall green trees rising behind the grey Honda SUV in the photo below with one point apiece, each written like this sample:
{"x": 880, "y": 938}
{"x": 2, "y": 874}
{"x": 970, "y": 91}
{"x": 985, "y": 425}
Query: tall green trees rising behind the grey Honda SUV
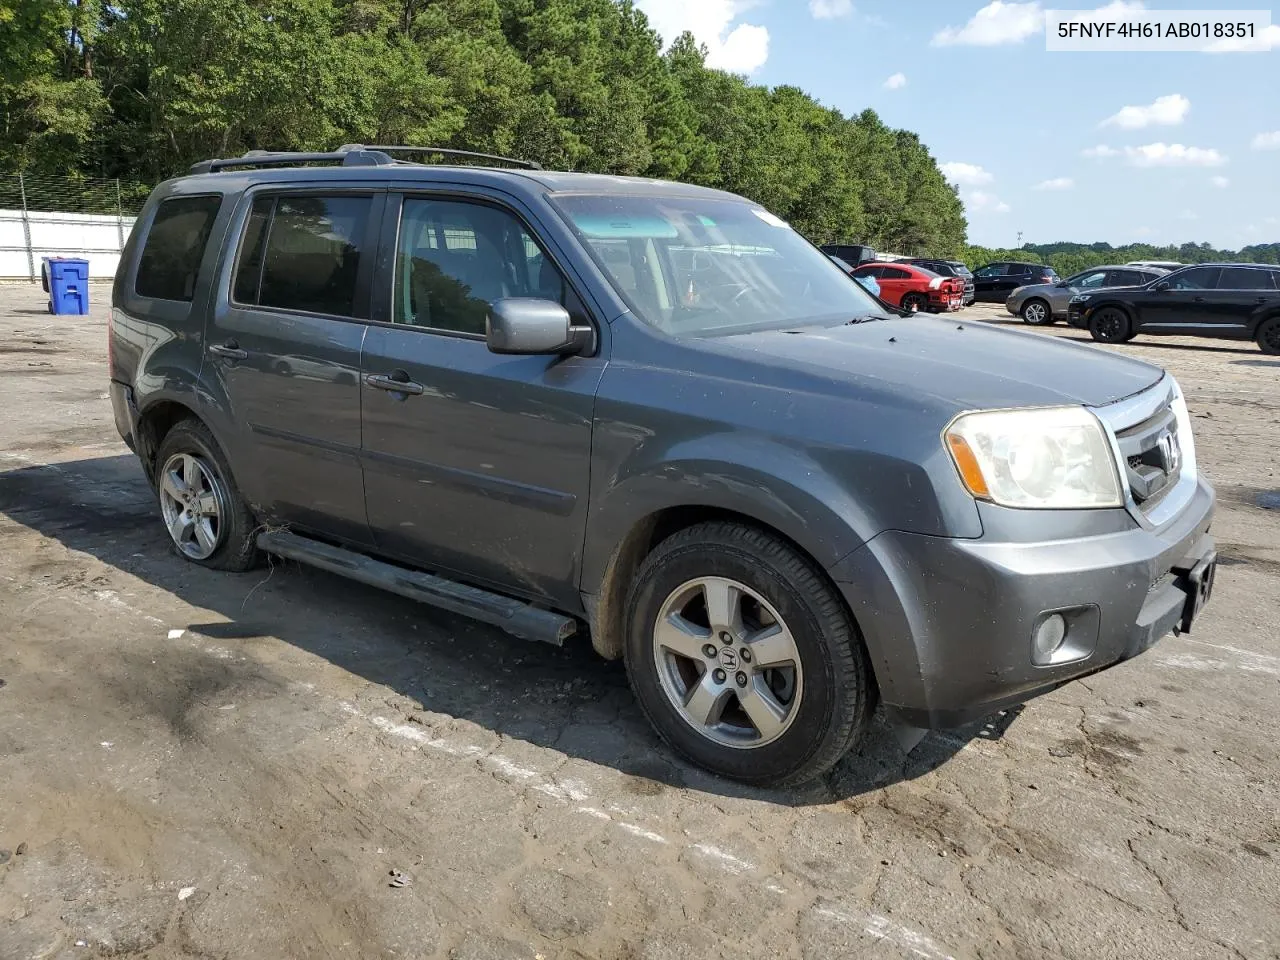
{"x": 141, "y": 89}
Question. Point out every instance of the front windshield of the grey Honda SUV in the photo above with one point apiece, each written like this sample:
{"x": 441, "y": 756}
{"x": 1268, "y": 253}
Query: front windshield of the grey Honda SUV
{"x": 700, "y": 268}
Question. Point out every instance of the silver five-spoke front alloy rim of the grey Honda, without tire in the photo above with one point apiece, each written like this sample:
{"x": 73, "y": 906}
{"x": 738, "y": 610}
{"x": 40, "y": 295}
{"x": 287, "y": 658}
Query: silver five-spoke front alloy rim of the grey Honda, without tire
{"x": 728, "y": 662}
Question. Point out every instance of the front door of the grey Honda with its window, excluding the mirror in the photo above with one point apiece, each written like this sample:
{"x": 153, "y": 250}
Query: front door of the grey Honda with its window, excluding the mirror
{"x": 481, "y": 465}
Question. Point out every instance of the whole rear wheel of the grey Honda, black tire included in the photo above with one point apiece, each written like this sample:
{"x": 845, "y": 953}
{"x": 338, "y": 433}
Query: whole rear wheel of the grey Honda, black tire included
{"x": 214, "y": 528}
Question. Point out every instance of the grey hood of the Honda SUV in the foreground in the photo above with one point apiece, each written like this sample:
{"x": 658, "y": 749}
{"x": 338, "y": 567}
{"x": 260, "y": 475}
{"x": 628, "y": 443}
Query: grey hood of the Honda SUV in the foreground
{"x": 954, "y": 364}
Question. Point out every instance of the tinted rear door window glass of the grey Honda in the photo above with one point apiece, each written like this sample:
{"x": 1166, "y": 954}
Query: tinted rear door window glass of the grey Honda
{"x": 303, "y": 253}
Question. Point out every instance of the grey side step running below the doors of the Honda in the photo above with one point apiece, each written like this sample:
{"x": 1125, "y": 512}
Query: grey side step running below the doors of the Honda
{"x": 513, "y": 616}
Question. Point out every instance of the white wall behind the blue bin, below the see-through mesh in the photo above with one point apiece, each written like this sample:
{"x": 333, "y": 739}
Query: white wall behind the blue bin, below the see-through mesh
{"x": 93, "y": 237}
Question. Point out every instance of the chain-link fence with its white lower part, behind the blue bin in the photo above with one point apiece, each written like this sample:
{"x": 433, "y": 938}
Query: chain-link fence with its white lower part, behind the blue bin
{"x": 52, "y": 217}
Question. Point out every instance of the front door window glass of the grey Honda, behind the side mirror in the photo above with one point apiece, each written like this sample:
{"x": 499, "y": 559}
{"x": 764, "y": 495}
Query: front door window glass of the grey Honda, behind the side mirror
{"x": 456, "y": 259}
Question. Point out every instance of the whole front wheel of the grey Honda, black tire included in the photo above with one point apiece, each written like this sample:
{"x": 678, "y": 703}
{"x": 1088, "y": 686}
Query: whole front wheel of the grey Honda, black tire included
{"x": 817, "y": 700}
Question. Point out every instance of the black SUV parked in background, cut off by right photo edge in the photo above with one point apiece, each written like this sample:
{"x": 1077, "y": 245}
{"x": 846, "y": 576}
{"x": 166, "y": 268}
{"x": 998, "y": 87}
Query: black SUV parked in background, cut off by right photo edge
{"x": 1232, "y": 301}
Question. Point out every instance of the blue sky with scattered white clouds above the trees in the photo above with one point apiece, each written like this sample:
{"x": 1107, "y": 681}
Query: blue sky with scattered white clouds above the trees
{"x": 1158, "y": 148}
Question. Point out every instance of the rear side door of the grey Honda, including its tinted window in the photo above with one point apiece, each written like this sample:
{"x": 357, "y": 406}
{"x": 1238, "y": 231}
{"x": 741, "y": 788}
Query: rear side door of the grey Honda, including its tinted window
{"x": 284, "y": 351}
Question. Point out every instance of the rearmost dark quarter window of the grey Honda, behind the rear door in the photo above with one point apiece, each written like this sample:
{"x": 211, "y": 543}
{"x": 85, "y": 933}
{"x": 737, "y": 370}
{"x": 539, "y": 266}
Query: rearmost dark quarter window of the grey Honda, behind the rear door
{"x": 176, "y": 245}
